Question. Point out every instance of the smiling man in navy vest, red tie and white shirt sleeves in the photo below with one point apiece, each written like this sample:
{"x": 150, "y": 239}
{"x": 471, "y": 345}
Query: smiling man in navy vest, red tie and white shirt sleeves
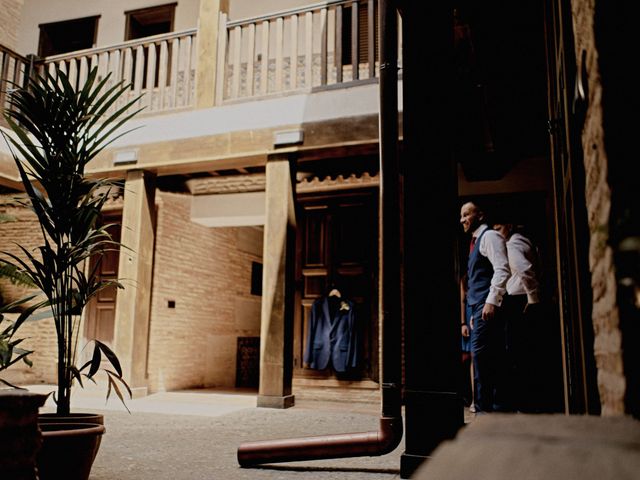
{"x": 487, "y": 276}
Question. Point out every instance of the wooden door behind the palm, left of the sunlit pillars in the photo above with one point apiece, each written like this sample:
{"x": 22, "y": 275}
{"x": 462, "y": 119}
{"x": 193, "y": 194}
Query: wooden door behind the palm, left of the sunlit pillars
{"x": 100, "y": 317}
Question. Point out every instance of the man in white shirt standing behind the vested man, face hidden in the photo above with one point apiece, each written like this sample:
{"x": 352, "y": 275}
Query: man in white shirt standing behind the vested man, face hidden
{"x": 519, "y": 305}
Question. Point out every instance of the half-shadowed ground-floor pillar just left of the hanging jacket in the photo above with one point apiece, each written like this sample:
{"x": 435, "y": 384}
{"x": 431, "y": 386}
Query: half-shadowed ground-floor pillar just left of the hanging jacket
{"x": 276, "y": 332}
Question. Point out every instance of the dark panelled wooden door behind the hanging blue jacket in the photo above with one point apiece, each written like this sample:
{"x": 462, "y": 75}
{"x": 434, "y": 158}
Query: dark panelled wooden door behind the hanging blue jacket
{"x": 338, "y": 244}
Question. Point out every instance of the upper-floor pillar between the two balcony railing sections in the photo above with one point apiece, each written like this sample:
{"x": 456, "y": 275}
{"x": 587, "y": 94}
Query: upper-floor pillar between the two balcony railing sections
{"x": 206, "y": 74}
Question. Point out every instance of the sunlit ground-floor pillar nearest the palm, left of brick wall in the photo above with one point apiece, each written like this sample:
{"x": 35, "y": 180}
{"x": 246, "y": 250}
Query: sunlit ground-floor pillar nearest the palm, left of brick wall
{"x": 135, "y": 268}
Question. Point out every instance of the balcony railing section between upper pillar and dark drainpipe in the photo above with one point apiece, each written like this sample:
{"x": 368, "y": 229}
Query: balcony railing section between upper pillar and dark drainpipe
{"x": 324, "y": 44}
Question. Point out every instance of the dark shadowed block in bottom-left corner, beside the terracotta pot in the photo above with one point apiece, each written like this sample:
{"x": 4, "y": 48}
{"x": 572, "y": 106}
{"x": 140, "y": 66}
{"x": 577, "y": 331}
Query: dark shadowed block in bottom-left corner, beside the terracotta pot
{"x": 20, "y": 438}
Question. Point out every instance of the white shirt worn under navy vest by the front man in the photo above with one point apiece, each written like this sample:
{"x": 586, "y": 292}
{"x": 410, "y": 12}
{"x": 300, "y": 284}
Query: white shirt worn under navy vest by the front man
{"x": 493, "y": 246}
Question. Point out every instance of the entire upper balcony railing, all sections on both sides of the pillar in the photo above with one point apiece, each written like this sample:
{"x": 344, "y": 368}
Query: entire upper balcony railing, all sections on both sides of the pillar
{"x": 322, "y": 46}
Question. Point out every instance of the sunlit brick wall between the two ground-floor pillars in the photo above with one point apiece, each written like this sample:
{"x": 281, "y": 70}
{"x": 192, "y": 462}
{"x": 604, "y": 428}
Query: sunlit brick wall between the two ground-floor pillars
{"x": 207, "y": 273}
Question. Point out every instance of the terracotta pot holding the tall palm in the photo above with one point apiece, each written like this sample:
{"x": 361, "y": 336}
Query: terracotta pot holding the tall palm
{"x": 68, "y": 450}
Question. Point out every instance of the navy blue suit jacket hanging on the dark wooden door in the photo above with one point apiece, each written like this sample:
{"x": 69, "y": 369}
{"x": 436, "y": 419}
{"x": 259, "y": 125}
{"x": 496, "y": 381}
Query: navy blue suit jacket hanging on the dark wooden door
{"x": 331, "y": 337}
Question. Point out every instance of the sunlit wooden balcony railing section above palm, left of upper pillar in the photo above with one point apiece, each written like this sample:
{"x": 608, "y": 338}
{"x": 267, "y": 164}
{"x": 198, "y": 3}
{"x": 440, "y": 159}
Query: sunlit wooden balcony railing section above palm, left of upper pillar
{"x": 162, "y": 68}
